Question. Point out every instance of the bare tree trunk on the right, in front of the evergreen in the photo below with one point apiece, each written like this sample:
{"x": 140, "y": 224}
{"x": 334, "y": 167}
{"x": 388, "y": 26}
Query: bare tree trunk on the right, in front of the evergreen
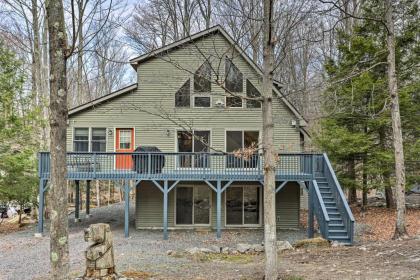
{"x": 400, "y": 229}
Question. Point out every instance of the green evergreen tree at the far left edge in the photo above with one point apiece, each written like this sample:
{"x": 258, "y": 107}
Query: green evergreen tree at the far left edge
{"x": 17, "y": 149}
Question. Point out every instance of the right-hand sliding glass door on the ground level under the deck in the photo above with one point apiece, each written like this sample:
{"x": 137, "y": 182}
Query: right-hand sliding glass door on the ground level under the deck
{"x": 243, "y": 205}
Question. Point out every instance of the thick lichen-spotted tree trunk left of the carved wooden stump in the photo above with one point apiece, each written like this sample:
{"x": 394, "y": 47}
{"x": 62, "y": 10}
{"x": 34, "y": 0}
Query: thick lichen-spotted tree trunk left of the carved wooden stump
{"x": 59, "y": 248}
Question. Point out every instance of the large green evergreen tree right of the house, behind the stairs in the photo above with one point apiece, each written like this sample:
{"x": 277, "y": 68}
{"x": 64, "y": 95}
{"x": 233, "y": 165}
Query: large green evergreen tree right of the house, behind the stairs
{"x": 357, "y": 131}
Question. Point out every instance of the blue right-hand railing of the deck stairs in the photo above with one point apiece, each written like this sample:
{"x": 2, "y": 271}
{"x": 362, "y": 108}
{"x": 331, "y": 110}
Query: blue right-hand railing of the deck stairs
{"x": 339, "y": 197}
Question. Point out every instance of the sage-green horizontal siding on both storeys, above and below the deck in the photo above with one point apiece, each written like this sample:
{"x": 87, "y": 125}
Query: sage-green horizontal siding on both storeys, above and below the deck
{"x": 158, "y": 80}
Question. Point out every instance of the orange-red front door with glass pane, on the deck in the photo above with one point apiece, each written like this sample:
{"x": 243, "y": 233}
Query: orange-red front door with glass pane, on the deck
{"x": 124, "y": 143}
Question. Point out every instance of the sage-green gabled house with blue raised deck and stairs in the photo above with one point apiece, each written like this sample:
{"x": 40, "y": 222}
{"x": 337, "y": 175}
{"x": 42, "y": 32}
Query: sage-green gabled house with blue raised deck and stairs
{"x": 187, "y": 103}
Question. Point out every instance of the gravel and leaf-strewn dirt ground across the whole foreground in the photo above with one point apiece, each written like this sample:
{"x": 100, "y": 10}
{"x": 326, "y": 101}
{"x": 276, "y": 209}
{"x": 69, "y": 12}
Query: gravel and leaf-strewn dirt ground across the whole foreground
{"x": 144, "y": 254}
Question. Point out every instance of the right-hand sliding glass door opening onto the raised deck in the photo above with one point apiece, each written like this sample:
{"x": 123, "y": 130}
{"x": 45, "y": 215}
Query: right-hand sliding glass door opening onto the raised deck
{"x": 238, "y": 140}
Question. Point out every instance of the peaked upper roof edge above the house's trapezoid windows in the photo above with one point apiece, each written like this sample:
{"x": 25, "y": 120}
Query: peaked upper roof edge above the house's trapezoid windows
{"x": 212, "y": 30}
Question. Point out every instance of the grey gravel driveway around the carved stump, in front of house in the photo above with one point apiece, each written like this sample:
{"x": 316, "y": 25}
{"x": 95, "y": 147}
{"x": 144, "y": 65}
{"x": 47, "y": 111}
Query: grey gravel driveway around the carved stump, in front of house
{"x": 25, "y": 257}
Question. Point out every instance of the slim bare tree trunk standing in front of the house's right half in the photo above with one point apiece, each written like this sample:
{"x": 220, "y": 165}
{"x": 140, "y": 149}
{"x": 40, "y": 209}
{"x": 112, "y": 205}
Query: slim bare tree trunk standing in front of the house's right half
{"x": 270, "y": 239}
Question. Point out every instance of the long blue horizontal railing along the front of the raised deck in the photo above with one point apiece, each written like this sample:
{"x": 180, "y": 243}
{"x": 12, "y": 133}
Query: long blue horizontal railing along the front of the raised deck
{"x": 176, "y": 166}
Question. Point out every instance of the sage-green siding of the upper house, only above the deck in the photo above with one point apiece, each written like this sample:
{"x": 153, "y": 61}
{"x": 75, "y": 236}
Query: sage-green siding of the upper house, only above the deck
{"x": 158, "y": 80}
